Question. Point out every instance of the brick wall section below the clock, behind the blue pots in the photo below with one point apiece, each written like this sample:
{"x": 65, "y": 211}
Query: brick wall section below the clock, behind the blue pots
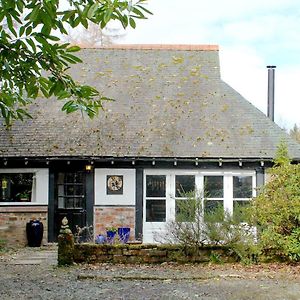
{"x": 117, "y": 216}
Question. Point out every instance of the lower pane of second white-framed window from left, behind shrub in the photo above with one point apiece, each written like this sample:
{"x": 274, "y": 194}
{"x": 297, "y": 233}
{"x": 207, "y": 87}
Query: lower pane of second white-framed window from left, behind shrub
{"x": 185, "y": 210}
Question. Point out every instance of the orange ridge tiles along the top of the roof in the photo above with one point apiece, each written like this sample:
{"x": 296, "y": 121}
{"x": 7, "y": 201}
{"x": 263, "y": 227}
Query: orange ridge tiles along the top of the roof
{"x": 199, "y": 47}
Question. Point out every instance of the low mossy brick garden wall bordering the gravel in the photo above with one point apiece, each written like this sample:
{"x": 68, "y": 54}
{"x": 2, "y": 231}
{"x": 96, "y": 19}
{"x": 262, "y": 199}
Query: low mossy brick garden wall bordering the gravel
{"x": 145, "y": 253}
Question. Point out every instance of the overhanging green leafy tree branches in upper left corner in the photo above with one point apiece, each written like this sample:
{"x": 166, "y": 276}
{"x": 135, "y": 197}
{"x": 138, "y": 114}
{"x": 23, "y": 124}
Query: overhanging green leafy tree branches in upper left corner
{"x": 30, "y": 35}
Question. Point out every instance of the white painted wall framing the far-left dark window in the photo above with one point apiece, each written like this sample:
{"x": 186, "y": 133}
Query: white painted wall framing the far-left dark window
{"x": 40, "y": 193}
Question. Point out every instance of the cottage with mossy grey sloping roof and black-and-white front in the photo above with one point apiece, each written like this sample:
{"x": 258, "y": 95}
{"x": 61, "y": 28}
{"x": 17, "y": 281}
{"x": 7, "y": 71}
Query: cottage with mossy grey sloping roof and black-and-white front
{"x": 174, "y": 125}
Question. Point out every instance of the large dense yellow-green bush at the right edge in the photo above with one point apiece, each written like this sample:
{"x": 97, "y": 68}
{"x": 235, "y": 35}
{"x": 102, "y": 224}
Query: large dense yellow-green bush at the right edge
{"x": 277, "y": 209}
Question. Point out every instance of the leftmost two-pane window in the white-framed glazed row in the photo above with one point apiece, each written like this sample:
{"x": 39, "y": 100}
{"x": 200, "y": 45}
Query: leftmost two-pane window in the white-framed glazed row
{"x": 155, "y": 198}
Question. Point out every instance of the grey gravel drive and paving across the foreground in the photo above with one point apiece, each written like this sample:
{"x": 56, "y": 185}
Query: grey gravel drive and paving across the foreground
{"x": 32, "y": 274}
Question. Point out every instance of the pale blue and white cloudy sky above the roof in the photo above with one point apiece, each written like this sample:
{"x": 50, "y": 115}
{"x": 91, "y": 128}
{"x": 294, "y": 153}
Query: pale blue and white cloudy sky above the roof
{"x": 250, "y": 34}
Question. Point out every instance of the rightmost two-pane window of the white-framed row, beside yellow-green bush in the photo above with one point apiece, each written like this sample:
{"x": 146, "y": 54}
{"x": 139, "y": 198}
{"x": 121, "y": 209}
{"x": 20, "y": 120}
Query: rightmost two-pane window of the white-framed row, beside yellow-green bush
{"x": 242, "y": 192}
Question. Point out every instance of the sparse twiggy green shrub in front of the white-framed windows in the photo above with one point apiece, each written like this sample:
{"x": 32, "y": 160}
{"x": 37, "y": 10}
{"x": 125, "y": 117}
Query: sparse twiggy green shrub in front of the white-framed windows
{"x": 193, "y": 228}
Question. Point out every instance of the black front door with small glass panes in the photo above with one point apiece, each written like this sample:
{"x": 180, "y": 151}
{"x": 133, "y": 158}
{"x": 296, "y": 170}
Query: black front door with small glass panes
{"x": 70, "y": 200}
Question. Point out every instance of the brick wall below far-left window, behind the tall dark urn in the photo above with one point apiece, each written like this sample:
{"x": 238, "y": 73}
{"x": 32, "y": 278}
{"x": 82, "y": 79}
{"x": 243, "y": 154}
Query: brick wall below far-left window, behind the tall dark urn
{"x": 13, "y": 221}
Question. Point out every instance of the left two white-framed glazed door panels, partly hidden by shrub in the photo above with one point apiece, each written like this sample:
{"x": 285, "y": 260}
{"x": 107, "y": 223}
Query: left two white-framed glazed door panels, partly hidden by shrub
{"x": 163, "y": 195}
